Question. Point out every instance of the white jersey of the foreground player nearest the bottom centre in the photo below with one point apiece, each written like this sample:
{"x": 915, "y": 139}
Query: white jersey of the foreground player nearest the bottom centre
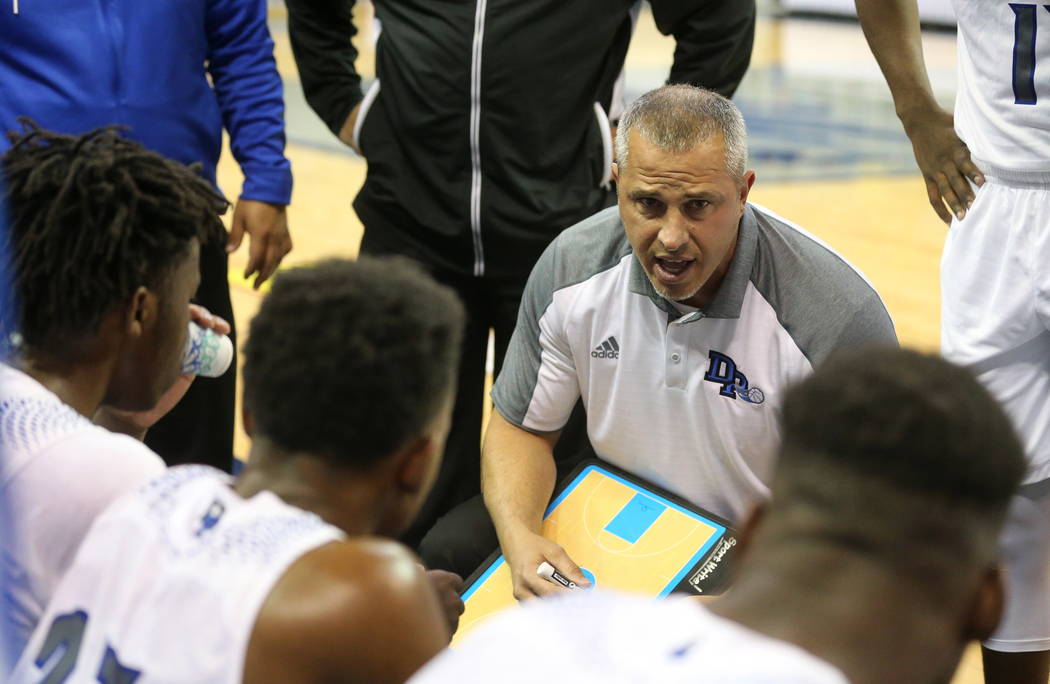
{"x": 606, "y": 638}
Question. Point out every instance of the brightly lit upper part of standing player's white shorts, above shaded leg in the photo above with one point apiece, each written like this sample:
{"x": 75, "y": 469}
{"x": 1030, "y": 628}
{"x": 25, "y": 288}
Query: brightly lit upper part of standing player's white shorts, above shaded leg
{"x": 996, "y": 305}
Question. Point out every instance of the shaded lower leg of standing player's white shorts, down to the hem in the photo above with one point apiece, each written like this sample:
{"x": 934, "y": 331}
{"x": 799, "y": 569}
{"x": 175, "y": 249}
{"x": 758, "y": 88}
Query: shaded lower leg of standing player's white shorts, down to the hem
{"x": 1025, "y": 548}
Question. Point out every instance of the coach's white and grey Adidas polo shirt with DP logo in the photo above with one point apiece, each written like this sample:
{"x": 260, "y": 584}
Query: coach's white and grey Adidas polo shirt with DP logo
{"x": 688, "y": 400}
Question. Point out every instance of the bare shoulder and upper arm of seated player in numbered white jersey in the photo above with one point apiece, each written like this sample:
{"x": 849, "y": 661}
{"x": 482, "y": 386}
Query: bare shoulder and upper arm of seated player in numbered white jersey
{"x": 359, "y": 611}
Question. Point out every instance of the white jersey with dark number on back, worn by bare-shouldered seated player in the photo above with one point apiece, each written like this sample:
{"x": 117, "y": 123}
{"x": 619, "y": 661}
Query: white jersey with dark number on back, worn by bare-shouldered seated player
{"x": 167, "y": 586}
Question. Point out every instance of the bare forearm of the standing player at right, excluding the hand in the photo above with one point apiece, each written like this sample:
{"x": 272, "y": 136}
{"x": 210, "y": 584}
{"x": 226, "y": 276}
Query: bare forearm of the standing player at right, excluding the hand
{"x": 893, "y": 32}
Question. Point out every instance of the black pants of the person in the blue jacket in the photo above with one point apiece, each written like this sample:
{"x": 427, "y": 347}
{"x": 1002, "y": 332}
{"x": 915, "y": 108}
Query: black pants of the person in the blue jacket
{"x": 200, "y": 429}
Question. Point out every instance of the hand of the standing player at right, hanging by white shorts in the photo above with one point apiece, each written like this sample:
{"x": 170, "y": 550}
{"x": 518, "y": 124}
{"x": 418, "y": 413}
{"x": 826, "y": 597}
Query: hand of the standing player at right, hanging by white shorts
{"x": 944, "y": 161}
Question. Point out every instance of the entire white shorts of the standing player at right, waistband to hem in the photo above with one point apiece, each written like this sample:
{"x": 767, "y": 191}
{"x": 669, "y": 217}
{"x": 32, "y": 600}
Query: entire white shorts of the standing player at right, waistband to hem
{"x": 996, "y": 320}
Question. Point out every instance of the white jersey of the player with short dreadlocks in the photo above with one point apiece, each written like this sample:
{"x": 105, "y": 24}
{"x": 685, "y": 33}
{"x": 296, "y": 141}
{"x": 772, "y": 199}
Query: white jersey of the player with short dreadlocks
{"x": 58, "y": 471}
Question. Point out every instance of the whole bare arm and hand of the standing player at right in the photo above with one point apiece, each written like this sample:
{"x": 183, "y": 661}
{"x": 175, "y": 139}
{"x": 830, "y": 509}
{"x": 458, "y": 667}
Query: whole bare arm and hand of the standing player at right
{"x": 893, "y": 32}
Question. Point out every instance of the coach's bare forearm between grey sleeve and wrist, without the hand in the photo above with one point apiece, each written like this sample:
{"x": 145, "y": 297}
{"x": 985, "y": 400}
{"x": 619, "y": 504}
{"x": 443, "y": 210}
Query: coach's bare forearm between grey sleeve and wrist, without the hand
{"x": 518, "y": 476}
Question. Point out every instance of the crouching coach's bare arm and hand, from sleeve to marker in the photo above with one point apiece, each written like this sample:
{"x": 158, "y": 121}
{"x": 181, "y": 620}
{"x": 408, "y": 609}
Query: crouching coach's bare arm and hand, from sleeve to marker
{"x": 518, "y": 475}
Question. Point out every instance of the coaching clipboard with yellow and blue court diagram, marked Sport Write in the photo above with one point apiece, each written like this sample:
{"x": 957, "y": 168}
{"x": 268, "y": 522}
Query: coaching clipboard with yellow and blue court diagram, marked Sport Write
{"x": 625, "y": 534}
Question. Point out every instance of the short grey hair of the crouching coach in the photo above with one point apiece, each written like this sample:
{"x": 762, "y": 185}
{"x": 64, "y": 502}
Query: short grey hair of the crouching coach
{"x": 678, "y": 118}
